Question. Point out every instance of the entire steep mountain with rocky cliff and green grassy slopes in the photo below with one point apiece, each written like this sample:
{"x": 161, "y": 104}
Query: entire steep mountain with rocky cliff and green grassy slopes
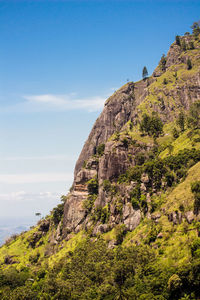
{"x": 130, "y": 226}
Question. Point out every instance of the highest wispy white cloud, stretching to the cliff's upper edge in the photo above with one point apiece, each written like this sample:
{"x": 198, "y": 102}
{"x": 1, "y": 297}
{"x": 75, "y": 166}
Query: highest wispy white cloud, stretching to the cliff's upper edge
{"x": 51, "y": 102}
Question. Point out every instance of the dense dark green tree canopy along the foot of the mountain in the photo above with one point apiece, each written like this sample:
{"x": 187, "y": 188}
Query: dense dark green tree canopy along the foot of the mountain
{"x": 93, "y": 271}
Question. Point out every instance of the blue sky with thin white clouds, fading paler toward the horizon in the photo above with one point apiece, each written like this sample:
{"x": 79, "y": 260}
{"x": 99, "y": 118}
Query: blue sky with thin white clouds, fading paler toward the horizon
{"x": 59, "y": 61}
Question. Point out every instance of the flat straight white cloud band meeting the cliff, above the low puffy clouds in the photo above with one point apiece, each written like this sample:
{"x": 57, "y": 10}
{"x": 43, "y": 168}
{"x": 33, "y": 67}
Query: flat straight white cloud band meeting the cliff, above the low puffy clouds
{"x": 35, "y": 178}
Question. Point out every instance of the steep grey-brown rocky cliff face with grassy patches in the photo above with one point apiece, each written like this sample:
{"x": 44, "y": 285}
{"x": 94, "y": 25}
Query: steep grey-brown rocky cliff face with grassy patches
{"x": 111, "y": 149}
